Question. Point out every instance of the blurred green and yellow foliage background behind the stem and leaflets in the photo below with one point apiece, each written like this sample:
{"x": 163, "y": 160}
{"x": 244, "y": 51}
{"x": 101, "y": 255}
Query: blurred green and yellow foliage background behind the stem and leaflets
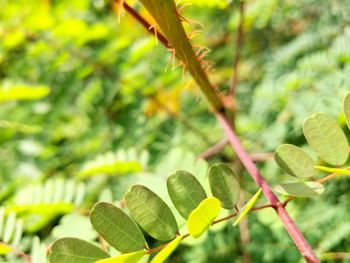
{"x": 87, "y": 109}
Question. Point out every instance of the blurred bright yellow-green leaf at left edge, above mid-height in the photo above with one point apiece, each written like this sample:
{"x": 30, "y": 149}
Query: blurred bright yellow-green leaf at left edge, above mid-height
{"x": 23, "y": 92}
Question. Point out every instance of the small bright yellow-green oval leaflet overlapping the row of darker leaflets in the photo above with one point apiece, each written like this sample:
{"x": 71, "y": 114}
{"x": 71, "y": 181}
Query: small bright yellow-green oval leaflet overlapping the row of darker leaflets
{"x": 203, "y": 216}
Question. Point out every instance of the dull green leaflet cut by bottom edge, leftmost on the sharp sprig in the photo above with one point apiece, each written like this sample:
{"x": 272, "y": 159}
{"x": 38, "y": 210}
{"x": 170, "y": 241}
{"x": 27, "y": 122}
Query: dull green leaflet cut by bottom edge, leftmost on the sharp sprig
{"x": 74, "y": 250}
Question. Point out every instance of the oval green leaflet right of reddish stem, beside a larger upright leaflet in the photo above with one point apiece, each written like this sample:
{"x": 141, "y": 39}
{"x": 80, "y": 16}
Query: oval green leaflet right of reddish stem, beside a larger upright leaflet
{"x": 294, "y": 161}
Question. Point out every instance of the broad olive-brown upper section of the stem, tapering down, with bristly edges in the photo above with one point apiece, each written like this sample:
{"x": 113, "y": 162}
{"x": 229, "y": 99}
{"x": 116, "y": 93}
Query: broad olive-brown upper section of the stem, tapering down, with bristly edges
{"x": 165, "y": 14}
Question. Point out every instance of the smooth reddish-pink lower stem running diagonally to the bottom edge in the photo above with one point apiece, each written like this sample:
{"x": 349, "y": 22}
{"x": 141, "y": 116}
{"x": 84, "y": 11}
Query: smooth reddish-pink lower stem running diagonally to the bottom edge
{"x": 287, "y": 221}
